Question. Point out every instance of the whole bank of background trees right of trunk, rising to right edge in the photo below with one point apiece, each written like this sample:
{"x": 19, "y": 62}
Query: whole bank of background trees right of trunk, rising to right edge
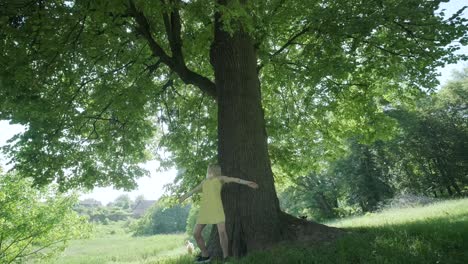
{"x": 425, "y": 155}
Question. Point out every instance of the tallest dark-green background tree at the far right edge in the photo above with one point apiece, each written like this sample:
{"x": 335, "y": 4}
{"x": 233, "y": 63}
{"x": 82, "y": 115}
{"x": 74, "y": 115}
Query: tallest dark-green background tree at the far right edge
{"x": 432, "y": 146}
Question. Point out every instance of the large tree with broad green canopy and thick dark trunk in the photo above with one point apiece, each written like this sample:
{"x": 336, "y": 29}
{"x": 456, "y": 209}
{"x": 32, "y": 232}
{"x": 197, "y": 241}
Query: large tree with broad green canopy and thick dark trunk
{"x": 96, "y": 82}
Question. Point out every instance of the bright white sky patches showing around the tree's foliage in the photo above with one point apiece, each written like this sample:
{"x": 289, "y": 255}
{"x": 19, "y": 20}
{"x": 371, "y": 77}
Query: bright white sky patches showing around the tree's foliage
{"x": 152, "y": 187}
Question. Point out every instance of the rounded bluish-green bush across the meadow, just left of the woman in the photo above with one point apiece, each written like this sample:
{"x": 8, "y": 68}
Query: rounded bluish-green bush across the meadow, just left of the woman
{"x": 162, "y": 219}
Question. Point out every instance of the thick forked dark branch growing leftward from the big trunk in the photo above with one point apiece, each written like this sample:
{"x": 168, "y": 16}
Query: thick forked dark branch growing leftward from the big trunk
{"x": 176, "y": 62}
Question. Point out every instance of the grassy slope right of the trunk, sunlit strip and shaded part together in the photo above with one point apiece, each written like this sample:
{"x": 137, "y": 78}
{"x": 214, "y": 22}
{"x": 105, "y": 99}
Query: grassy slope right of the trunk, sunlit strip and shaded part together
{"x": 437, "y": 233}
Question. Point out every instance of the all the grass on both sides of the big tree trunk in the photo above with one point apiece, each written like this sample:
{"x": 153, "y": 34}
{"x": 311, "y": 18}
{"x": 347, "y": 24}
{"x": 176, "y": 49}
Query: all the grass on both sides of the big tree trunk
{"x": 436, "y": 233}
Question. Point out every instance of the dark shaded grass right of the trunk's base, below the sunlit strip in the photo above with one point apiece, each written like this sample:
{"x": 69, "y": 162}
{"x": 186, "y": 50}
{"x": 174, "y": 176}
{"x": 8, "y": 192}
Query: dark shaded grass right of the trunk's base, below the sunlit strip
{"x": 441, "y": 239}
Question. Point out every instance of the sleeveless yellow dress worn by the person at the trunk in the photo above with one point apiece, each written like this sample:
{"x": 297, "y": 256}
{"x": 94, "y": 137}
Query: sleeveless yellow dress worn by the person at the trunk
{"x": 211, "y": 206}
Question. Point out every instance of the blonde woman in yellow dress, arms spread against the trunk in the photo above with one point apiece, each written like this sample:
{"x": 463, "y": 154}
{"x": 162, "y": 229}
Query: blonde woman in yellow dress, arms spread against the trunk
{"x": 211, "y": 208}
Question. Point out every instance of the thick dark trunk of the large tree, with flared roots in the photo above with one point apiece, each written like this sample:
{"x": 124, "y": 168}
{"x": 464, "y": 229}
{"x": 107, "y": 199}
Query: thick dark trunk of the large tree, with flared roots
{"x": 253, "y": 217}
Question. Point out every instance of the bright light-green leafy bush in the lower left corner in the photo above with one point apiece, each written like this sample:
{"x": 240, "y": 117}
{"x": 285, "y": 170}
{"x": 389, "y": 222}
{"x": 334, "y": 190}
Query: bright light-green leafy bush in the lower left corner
{"x": 35, "y": 224}
